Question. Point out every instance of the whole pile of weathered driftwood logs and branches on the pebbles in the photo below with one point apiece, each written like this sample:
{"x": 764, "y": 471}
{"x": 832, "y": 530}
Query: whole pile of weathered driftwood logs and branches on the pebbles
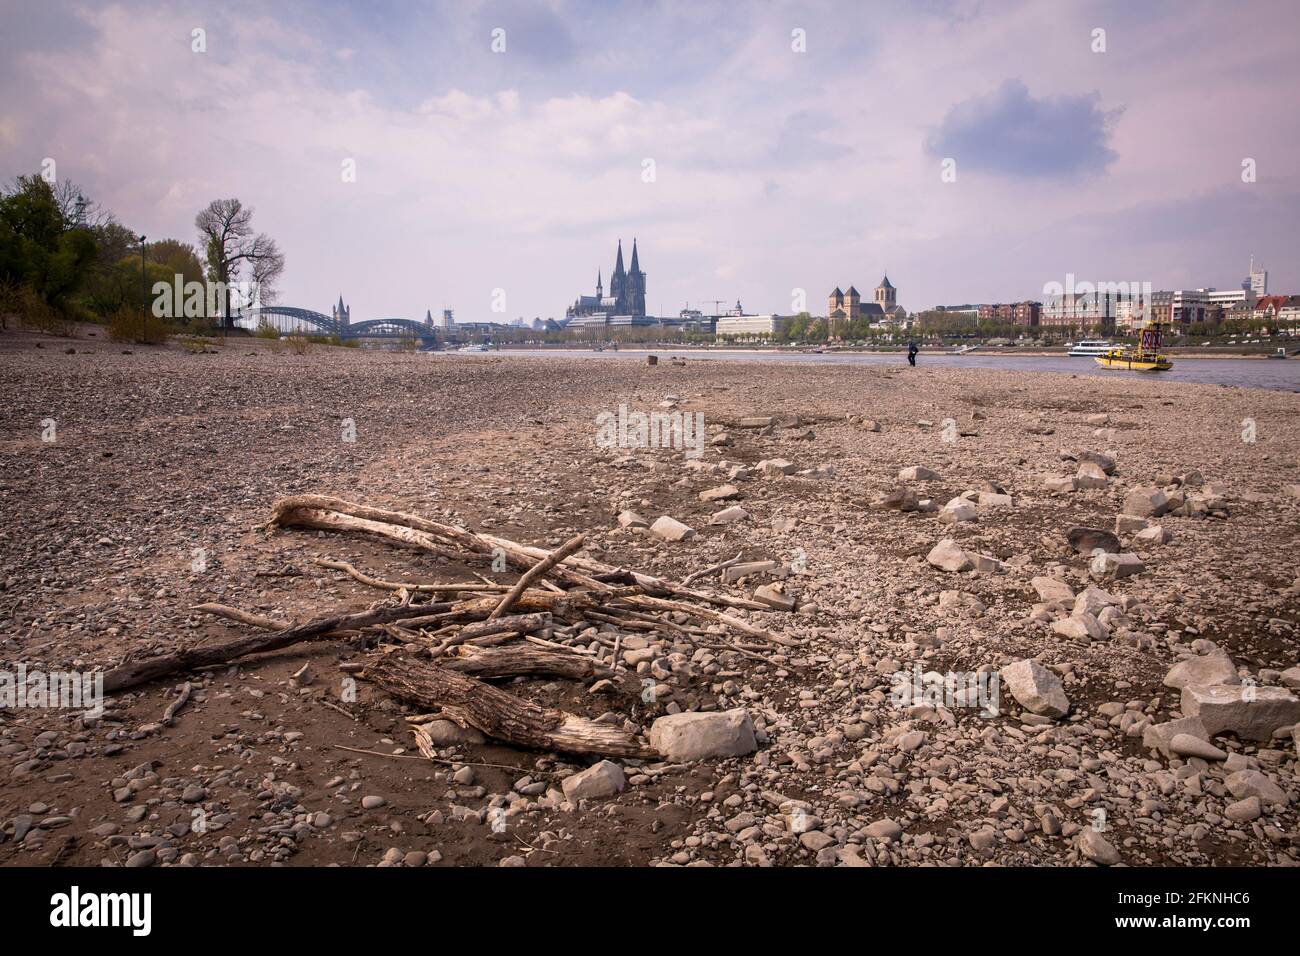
{"x": 465, "y": 634}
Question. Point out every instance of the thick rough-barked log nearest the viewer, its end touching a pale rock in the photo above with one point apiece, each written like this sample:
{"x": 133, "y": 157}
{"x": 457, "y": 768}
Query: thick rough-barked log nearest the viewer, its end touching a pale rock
{"x": 499, "y": 715}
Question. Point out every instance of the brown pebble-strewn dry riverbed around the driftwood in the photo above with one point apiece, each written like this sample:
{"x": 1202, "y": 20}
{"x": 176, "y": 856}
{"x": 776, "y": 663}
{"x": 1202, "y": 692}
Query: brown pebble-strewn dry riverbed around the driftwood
{"x": 150, "y": 492}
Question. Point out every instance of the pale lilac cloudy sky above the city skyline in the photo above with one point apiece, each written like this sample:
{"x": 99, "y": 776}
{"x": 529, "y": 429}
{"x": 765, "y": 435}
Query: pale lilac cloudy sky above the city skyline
{"x": 753, "y": 149}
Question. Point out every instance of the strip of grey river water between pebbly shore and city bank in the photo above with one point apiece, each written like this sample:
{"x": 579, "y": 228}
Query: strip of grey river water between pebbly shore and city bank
{"x": 1249, "y": 374}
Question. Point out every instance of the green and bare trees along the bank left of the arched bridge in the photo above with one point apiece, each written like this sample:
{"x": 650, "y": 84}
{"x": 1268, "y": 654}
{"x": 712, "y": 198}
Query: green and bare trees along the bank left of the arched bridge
{"x": 64, "y": 259}
